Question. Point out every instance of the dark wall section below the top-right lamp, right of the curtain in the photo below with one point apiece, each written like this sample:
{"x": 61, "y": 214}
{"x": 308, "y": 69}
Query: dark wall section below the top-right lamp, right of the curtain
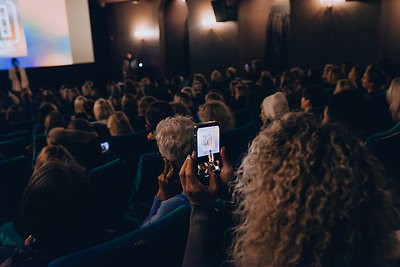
{"x": 346, "y": 32}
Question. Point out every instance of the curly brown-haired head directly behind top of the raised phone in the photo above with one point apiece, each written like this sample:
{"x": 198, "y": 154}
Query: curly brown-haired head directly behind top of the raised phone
{"x": 217, "y": 111}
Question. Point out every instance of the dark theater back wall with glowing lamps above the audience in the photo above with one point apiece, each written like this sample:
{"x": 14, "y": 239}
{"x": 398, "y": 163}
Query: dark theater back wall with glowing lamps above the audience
{"x": 360, "y": 32}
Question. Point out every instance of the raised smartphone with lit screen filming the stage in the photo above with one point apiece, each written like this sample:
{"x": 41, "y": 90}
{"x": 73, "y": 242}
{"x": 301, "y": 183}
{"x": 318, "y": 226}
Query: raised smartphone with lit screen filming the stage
{"x": 207, "y": 138}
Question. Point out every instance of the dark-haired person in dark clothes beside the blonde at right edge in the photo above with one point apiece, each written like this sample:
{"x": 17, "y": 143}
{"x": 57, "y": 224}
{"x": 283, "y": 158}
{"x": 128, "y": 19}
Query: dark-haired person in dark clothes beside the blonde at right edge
{"x": 377, "y": 115}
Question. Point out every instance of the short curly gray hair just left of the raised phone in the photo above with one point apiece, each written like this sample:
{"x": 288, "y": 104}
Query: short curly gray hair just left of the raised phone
{"x": 175, "y": 138}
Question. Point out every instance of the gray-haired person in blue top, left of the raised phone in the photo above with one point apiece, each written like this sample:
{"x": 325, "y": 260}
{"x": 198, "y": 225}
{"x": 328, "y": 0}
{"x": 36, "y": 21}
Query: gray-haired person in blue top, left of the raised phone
{"x": 175, "y": 140}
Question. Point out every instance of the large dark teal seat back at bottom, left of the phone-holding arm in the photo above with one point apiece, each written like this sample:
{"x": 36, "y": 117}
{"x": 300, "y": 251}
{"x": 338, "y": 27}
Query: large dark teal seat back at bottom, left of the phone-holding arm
{"x": 161, "y": 243}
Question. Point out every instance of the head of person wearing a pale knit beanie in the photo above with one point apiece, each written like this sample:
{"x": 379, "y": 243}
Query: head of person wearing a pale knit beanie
{"x": 273, "y": 108}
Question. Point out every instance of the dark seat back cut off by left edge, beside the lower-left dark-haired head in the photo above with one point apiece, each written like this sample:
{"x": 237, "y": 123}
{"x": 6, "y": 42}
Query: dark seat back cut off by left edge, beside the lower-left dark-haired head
{"x": 14, "y": 174}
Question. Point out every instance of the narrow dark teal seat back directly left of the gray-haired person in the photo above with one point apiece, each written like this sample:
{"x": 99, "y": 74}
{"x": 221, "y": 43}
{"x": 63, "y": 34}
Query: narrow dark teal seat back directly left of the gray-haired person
{"x": 151, "y": 165}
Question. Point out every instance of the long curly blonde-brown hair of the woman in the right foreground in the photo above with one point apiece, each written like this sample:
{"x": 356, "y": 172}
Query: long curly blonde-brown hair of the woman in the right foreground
{"x": 311, "y": 195}
